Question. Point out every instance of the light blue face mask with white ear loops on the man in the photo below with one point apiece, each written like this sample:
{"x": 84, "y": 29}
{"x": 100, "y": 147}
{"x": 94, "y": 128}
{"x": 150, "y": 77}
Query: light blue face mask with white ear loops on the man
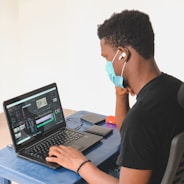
{"x": 117, "y": 80}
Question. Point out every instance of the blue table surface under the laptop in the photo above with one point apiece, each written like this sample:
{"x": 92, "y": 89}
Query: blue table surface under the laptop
{"x": 22, "y": 171}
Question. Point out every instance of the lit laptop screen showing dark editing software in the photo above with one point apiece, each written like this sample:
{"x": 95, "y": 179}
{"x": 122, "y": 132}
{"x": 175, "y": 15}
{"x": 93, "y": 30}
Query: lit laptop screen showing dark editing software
{"x": 34, "y": 114}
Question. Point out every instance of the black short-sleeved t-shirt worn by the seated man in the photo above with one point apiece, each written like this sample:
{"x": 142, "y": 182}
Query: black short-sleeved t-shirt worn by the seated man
{"x": 150, "y": 125}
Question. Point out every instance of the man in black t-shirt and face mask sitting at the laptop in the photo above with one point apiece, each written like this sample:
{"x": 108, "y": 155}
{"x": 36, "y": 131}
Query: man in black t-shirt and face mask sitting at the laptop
{"x": 127, "y": 43}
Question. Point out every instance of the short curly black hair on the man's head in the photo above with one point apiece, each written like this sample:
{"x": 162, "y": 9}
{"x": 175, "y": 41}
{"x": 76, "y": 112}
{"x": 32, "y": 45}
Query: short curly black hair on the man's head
{"x": 129, "y": 28}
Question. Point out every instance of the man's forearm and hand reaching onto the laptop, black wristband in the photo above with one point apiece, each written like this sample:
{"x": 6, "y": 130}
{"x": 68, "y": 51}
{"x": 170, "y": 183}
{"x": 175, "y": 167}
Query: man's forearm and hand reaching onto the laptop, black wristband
{"x": 72, "y": 159}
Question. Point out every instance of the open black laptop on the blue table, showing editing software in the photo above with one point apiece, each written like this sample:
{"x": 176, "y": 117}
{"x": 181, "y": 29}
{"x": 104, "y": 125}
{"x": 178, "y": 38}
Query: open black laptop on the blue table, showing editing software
{"x": 36, "y": 120}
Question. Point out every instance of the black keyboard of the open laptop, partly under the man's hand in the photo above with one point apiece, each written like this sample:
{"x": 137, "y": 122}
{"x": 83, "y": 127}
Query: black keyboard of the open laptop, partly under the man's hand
{"x": 41, "y": 149}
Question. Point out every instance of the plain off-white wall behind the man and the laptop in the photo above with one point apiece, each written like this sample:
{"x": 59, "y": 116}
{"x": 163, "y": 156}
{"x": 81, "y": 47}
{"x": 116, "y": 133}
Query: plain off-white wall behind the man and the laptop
{"x": 42, "y": 41}
